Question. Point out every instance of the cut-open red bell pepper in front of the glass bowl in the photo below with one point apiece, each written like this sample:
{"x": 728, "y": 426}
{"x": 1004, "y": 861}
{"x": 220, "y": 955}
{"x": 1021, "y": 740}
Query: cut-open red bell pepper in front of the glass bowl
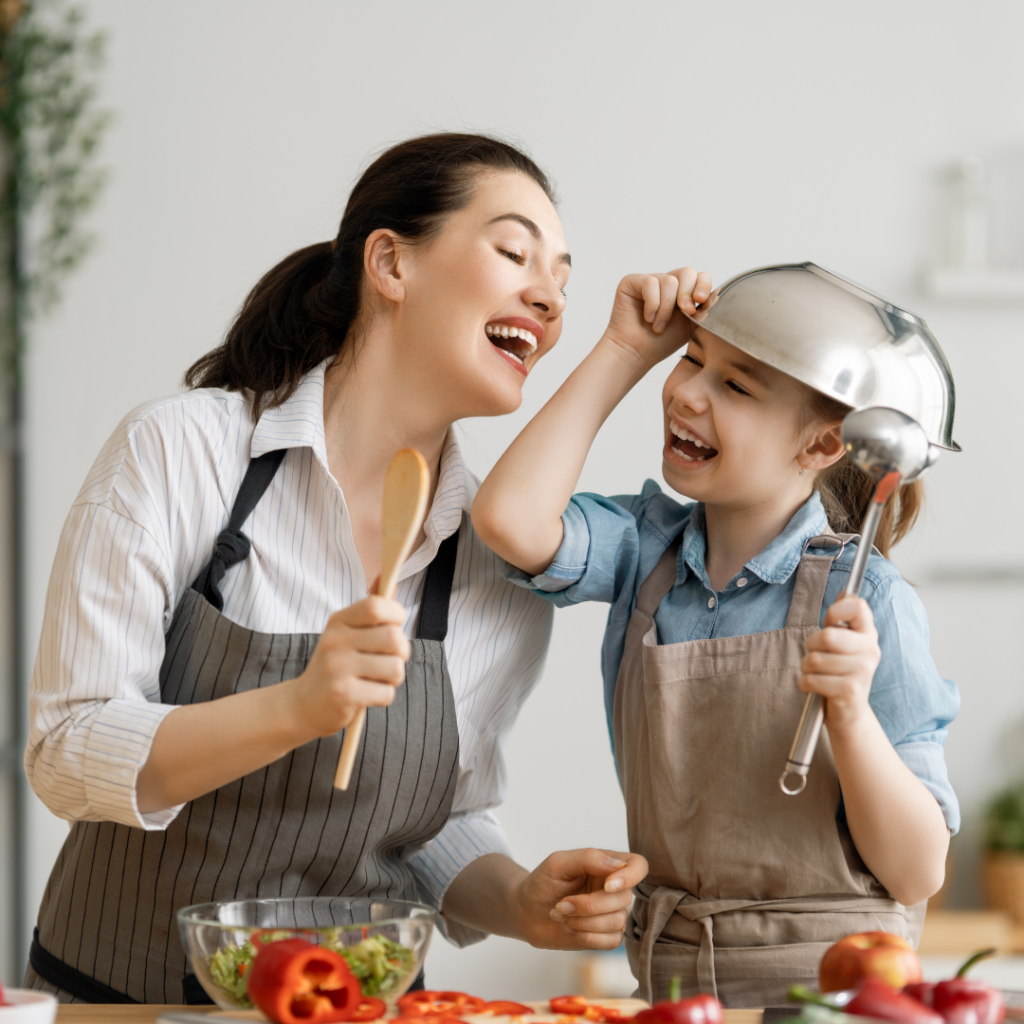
{"x": 296, "y": 983}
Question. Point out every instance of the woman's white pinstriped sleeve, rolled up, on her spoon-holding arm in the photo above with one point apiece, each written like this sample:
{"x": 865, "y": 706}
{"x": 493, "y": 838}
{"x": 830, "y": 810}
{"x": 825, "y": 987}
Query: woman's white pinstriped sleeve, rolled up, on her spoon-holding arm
{"x": 95, "y": 700}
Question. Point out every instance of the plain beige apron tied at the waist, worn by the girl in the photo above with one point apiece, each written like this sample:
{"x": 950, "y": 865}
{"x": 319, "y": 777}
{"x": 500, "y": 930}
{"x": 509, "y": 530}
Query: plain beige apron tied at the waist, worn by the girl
{"x": 748, "y": 887}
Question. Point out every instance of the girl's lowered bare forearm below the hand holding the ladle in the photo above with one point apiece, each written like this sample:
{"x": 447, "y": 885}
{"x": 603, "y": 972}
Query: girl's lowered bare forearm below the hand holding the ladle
{"x": 897, "y": 825}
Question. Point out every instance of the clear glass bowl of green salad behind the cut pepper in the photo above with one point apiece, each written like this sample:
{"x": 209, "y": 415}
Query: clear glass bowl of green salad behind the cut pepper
{"x": 385, "y": 941}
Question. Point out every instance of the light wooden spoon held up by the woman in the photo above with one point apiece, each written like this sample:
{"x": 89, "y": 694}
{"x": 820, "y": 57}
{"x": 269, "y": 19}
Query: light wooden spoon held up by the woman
{"x": 406, "y": 488}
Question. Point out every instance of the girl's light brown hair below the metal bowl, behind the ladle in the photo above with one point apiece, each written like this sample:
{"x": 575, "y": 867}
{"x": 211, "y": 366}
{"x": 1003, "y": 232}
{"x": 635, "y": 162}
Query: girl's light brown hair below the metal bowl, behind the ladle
{"x": 846, "y": 491}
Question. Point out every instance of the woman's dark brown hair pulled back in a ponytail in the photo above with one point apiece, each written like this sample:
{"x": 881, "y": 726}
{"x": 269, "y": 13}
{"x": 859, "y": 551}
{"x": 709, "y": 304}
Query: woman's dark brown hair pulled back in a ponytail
{"x": 301, "y": 313}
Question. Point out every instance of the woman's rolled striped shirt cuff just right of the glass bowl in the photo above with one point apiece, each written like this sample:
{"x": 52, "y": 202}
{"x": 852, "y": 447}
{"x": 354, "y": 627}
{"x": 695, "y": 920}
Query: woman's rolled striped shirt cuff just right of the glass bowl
{"x": 465, "y": 837}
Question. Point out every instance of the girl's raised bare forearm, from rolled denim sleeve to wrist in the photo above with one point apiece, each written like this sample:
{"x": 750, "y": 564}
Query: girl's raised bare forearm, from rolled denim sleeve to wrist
{"x": 518, "y": 511}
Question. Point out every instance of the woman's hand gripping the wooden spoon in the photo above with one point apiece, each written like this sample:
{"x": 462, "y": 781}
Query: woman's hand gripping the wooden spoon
{"x": 359, "y": 662}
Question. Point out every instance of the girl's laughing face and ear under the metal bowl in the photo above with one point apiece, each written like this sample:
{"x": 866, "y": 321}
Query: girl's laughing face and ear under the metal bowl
{"x": 735, "y": 436}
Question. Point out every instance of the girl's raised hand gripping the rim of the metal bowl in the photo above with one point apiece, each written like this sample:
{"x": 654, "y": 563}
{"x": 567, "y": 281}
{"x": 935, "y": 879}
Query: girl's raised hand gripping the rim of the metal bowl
{"x": 644, "y": 321}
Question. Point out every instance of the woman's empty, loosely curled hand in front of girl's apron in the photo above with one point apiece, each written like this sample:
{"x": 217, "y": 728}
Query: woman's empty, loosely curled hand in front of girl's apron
{"x": 579, "y": 900}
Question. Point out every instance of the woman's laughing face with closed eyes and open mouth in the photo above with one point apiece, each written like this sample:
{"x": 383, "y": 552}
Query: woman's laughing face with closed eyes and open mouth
{"x": 484, "y": 302}
